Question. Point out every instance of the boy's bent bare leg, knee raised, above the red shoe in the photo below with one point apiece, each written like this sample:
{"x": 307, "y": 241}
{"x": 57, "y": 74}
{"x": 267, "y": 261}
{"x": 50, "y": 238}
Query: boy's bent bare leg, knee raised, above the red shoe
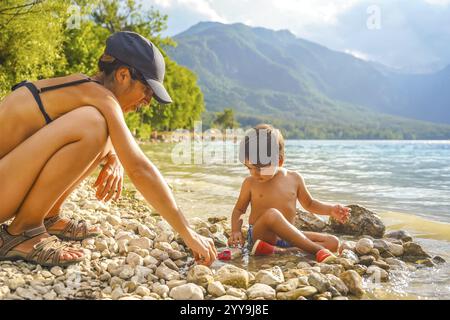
{"x": 272, "y": 224}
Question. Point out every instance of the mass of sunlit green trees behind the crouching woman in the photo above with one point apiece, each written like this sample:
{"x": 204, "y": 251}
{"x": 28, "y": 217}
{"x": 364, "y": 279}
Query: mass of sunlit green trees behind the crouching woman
{"x": 35, "y": 43}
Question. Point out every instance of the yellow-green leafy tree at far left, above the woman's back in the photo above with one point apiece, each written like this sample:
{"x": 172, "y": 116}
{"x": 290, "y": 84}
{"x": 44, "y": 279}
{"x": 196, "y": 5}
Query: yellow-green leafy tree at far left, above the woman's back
{"x": 31, "y": 35}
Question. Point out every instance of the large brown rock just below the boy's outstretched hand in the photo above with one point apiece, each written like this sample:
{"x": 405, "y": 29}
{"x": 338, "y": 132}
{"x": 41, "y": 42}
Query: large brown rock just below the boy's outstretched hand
{"x": 361, "y": 222}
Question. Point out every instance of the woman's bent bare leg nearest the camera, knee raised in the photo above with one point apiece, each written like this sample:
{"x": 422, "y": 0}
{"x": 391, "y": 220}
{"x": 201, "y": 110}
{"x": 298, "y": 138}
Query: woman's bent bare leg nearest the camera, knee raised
{"x": 36, "y": 173}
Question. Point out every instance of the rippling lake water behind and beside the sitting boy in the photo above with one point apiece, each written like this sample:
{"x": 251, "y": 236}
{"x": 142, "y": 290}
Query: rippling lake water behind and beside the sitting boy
{"x": 406, "y": 182}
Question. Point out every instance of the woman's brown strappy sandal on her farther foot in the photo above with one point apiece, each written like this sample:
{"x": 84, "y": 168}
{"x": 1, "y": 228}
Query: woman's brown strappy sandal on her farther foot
{"x": 75, "y": 229}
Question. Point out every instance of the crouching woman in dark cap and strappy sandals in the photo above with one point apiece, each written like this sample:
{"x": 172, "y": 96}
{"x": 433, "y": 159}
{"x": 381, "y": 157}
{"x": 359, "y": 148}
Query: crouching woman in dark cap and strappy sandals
{"x": 55, "y": 132}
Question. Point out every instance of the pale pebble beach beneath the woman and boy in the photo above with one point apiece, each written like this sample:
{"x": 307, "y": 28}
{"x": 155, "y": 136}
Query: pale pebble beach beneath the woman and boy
{"x": 139, "y": 257}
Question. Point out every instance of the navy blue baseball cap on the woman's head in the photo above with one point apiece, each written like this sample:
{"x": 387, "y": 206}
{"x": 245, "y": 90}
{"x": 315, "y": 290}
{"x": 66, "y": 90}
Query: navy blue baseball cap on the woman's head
{"x": 141, "y": 54}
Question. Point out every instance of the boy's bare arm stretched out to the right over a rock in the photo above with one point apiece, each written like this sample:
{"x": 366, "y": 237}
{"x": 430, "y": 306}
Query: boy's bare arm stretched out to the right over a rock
{"x": 315, "y": 206}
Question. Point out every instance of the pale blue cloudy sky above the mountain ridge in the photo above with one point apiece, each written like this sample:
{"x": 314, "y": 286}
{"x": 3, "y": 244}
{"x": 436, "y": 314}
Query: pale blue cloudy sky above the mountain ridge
{"x": 409, "y": 35}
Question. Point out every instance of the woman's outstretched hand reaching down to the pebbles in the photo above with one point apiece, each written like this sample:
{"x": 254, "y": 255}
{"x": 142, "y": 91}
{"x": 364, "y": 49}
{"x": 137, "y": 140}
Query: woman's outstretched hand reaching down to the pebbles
{"x": 202, "y": 247}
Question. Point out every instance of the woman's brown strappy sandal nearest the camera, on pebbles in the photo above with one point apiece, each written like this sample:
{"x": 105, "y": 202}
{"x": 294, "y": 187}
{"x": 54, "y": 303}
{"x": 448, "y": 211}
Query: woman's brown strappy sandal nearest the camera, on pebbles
{"x": 46, "y": 252}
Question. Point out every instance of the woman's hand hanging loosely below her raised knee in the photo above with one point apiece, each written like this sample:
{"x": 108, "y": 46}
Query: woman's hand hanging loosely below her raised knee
{"x": 110, "y": 179}
